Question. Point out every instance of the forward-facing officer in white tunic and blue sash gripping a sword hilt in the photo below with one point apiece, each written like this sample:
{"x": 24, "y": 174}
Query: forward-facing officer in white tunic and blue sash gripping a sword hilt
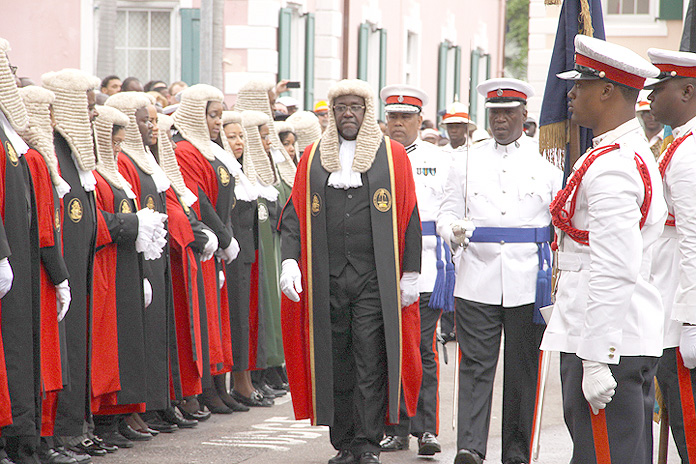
{"x": 499, "y": 203}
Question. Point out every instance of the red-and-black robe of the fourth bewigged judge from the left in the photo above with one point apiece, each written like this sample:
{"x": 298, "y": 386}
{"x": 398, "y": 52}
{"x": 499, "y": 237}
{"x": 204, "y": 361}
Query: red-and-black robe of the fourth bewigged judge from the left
{"x": 118, "y": 349}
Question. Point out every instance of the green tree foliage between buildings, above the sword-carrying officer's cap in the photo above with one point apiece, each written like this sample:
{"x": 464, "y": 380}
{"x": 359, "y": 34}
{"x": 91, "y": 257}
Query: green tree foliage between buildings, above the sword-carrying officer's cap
{"x": 516, "y": 38}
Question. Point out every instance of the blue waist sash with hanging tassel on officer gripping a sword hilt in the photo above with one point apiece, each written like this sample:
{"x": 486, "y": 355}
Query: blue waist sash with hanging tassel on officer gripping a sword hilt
{"x": 541, "y": 237}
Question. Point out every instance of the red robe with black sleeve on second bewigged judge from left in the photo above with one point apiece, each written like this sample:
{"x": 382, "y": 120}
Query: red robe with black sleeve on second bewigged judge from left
{"x": 53, "y": 271}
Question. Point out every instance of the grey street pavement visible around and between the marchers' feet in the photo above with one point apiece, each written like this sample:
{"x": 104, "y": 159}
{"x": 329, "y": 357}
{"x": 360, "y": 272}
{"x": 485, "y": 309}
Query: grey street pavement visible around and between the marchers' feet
{"x": 270, "y": 435}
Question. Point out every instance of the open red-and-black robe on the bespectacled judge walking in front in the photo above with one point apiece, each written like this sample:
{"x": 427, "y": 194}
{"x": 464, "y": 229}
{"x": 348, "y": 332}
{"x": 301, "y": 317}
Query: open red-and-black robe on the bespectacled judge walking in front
{"x": 307, "y": 323}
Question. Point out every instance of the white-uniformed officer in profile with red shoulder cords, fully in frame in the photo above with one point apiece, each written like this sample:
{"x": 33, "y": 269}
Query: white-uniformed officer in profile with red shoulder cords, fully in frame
{"x": 607, "y": 320}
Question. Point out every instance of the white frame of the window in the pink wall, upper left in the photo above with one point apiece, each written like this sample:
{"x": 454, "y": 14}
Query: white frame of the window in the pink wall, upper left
{"x": 174, "y": 31}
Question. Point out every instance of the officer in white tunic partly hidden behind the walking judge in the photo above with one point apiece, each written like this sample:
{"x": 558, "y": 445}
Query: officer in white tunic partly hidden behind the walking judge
{"x": 403, "y": 105}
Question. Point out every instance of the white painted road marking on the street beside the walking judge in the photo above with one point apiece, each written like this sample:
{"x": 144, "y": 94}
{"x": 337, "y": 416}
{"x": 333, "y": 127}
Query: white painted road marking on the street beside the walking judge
{"x": 276, "y": 433}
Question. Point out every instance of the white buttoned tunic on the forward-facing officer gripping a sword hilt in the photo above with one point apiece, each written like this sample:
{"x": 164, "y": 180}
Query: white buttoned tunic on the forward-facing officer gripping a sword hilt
{"x": 508, "y": 186}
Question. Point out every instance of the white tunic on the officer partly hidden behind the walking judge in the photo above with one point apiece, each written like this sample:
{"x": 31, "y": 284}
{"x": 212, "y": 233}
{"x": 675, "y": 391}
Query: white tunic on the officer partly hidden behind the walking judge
{"x": 430, "y": 168}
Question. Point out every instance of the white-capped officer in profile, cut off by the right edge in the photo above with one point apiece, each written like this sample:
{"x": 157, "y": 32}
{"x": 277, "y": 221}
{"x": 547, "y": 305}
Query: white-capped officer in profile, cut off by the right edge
{"x": 673, "y": 102}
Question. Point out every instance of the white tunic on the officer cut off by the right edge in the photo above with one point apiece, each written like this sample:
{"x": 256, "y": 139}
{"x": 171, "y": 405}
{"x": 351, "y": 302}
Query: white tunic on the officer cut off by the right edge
{"x": 674, "y": 256}
